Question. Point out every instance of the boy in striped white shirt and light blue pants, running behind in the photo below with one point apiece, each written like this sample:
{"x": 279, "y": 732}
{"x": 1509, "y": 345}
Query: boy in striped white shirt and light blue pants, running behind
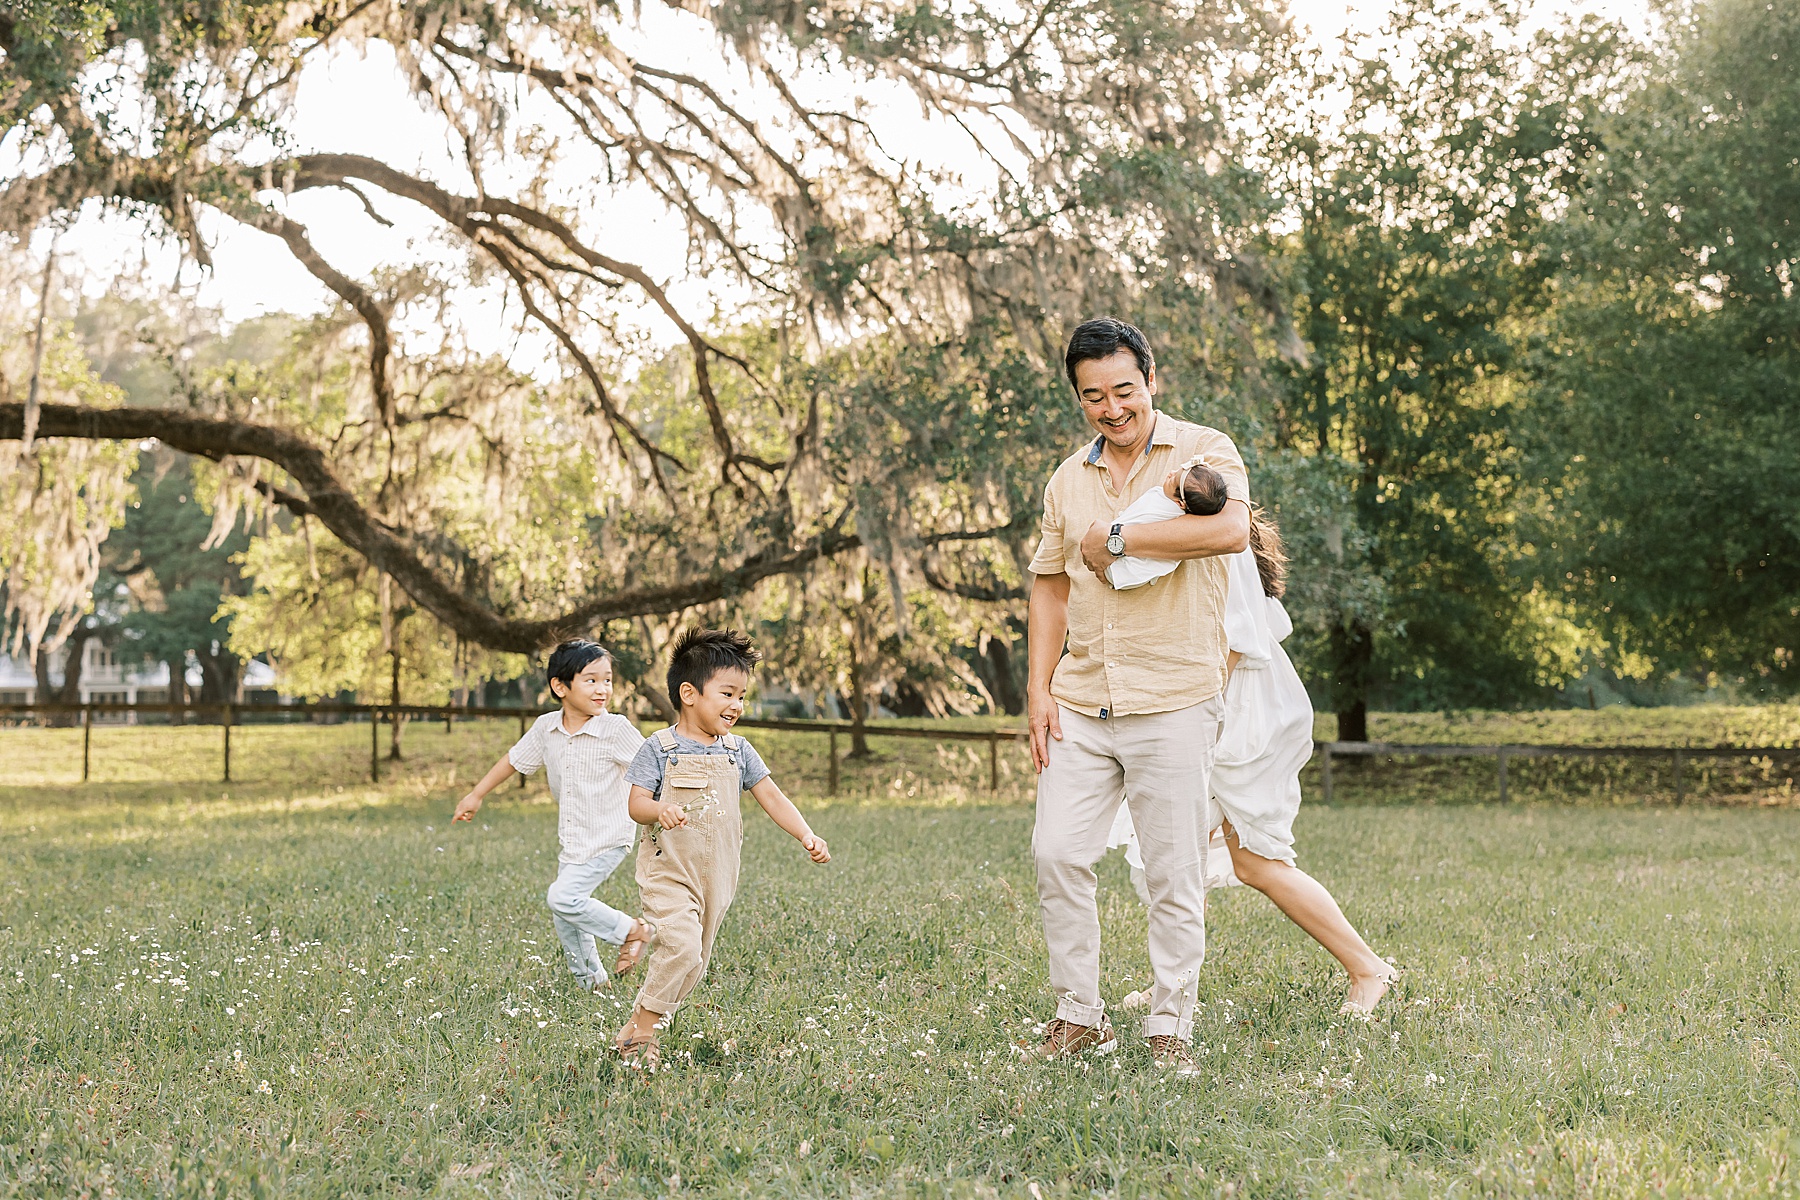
{"x": 584, "y": 751}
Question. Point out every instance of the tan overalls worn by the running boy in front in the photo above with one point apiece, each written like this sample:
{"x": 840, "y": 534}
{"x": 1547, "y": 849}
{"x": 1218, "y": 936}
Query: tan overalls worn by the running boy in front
{"x": 688, "y": 877}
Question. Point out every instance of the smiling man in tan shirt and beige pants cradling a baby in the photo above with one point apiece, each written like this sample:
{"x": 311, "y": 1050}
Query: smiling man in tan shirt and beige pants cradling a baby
{"x": 1131, "y": 712}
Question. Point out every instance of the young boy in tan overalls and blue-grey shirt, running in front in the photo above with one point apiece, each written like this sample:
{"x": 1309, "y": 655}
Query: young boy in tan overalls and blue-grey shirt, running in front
{"x": 687, "y": 784}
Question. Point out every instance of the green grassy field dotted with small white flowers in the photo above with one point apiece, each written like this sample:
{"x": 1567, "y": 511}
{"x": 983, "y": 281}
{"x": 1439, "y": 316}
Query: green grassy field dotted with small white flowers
{"x": 307, "y": 989}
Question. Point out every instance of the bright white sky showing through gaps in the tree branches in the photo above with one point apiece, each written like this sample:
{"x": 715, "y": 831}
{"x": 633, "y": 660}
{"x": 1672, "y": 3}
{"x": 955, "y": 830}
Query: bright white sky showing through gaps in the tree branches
{"x": 359, "y": 105}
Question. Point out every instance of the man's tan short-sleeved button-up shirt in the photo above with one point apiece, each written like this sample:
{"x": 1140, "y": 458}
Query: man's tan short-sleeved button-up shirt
{"x": 1156, "y": 649}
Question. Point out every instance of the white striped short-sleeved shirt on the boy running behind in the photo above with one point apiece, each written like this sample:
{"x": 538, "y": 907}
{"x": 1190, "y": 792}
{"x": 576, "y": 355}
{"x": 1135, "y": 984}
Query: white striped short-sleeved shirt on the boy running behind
{"x": 586, "y": 771}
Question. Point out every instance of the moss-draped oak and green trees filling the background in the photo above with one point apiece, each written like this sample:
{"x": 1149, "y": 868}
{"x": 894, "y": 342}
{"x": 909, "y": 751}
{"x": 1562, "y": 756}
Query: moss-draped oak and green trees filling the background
{"x": 1502, "y": 316}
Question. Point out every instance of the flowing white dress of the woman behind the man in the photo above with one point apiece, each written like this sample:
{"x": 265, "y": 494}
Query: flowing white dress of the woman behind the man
{"x": 1264, "y": 740}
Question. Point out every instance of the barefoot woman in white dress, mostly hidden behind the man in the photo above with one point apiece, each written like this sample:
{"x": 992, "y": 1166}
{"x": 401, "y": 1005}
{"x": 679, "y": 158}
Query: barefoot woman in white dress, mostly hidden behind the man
{"x": 1266, "y": 740}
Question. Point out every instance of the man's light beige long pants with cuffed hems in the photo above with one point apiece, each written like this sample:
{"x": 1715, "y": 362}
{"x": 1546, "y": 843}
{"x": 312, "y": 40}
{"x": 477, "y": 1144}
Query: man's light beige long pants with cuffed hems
{"x": 1162, "y": 764}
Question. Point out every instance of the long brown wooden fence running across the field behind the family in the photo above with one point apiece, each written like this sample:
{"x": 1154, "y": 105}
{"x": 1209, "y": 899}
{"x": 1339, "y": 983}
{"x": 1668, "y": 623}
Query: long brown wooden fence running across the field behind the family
{"x": 1329, "y": 751}
